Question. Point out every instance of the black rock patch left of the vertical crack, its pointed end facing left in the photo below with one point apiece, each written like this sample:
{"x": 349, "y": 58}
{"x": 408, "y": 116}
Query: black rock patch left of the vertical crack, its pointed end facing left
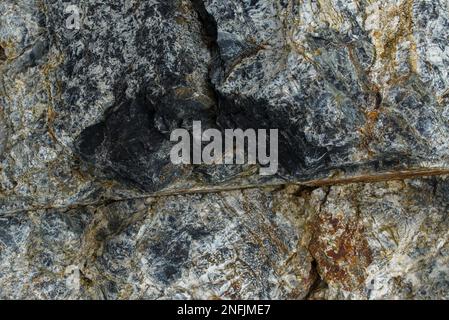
{"x": 127, "y": 145}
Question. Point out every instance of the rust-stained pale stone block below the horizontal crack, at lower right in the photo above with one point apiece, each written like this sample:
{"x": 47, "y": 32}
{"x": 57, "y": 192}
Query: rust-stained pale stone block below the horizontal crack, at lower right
{"x": 382, "y": 241}
